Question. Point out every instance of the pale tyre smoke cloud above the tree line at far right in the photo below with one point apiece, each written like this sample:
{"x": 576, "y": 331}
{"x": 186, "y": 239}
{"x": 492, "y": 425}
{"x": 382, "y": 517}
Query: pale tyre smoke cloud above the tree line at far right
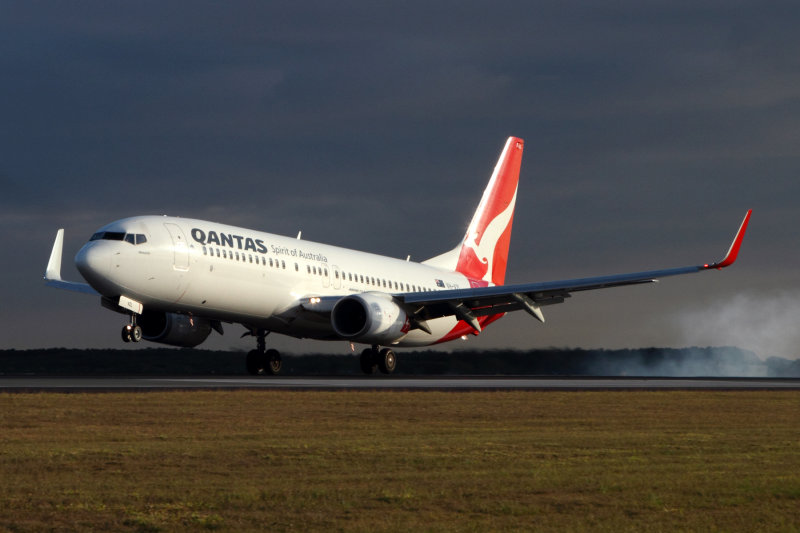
{"x": 767, "y": 324}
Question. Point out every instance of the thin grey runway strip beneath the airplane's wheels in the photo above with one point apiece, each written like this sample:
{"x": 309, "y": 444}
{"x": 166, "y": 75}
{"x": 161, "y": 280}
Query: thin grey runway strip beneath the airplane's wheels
{"x": 120, "y": 384}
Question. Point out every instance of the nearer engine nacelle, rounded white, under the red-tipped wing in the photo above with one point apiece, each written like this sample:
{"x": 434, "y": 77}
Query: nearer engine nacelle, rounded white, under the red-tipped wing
{"x": 369, "y": 317}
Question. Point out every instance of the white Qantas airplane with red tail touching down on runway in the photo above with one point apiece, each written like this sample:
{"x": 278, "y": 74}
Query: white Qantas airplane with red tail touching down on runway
{"x": 179, "y": 279}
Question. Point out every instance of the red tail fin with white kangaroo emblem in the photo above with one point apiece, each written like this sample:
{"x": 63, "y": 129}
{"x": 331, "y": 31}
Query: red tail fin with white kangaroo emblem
{"x": 484, "y": 250}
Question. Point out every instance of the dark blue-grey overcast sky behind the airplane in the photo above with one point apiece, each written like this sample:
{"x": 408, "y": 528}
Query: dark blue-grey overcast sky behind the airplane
{"x": 650, "y": 128}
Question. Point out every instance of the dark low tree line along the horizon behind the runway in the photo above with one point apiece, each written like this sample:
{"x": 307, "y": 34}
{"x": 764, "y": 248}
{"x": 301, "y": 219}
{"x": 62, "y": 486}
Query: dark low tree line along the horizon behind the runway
{"x": 645, "y": 362}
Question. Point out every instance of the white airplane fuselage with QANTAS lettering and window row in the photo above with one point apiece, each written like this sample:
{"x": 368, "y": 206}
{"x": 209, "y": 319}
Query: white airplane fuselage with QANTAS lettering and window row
{"x": 232, "y": 274}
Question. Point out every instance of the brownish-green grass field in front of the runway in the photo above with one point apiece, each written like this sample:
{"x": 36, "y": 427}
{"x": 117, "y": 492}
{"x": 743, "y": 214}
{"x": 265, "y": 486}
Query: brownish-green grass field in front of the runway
{"x": 395, "y": 461}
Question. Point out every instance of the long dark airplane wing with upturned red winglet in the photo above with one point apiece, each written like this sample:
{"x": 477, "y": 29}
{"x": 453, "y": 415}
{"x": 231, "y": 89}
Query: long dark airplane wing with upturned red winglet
{"x": 468, "y": 304}
